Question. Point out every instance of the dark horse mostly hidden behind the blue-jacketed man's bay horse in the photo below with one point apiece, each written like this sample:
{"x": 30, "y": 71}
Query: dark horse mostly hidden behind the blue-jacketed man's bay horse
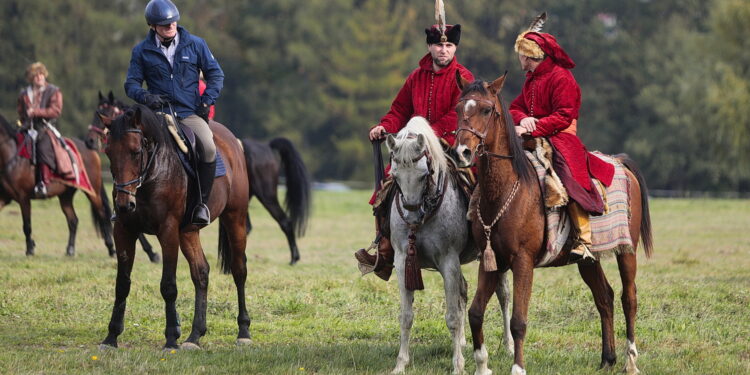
{"x": 263, "y": 168}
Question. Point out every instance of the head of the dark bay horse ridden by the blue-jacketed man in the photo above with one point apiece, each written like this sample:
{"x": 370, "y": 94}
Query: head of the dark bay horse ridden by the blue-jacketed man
{"x": 132, "y": 142}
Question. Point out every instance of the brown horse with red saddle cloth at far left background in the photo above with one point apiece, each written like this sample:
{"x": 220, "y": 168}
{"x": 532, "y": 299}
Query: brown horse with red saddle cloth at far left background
{"x": 17, "y": 181}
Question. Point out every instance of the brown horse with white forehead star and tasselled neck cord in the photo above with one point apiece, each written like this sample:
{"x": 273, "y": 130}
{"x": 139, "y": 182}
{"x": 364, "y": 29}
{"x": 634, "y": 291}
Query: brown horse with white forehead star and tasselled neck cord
{"x": 486, "y": 134}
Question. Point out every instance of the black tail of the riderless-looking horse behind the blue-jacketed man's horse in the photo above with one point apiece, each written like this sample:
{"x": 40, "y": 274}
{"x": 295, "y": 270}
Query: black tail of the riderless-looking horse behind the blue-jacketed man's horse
{"x": 297, "y": 200}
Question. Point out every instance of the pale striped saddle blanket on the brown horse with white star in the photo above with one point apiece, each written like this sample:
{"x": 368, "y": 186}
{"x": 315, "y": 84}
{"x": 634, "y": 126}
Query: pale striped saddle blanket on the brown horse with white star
{"x": 609, "y": 232}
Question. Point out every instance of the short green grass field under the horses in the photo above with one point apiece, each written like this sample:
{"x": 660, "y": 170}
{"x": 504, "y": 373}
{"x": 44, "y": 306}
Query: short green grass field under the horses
{"x": 321, "y": 317}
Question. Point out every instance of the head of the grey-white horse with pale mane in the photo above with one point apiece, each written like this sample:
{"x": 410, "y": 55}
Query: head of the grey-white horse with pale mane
{"x": 417, "y": 163}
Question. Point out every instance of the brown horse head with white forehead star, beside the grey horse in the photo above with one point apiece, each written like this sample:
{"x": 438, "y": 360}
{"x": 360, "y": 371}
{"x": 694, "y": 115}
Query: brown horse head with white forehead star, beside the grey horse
{"x": 481, "y": 119}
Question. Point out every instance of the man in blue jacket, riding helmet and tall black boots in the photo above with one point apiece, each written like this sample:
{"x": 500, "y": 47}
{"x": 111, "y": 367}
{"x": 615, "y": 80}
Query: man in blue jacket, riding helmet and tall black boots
{"x": 170, "y": 61}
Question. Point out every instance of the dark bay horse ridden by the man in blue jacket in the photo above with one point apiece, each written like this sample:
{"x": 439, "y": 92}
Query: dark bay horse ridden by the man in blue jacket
{"x": 151, "y": 188}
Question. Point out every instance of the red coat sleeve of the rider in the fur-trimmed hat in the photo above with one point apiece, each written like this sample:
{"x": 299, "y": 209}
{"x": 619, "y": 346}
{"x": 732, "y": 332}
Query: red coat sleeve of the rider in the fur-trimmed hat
{"x": 566, "y": 100}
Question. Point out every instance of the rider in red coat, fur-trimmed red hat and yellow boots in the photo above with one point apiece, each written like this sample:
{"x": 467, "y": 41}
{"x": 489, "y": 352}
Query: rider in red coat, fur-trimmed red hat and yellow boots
{"x": 548, "y": 107}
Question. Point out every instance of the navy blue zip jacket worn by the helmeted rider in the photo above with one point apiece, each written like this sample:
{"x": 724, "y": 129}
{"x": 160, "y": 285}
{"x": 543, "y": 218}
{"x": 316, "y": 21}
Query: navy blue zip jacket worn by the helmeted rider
{"x": 180, "y": 82}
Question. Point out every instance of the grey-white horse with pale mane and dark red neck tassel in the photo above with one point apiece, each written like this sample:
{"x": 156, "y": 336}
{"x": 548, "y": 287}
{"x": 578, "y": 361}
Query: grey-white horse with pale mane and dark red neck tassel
{"x": 420, "y": 170}
